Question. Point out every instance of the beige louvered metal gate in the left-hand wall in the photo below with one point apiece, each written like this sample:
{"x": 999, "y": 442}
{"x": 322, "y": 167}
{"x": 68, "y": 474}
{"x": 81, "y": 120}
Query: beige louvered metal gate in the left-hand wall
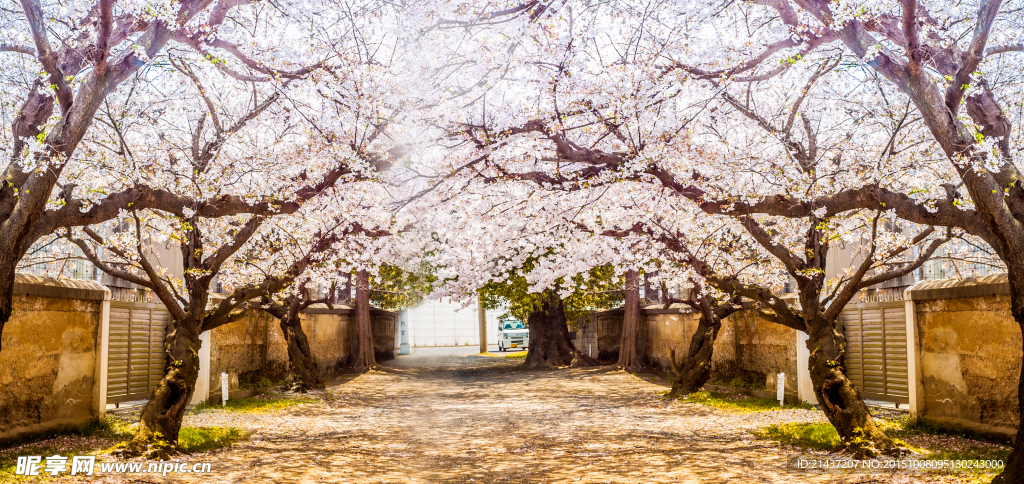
{"x": 136, "y": 358}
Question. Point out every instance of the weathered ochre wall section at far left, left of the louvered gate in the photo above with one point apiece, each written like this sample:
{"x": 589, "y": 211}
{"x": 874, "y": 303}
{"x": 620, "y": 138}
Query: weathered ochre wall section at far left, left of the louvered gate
{"x": 50, "y": 357}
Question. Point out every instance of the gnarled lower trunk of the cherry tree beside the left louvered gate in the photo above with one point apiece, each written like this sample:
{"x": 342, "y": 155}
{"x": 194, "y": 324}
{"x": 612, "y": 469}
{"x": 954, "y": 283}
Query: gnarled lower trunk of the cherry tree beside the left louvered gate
{"x": 160, "y": 423}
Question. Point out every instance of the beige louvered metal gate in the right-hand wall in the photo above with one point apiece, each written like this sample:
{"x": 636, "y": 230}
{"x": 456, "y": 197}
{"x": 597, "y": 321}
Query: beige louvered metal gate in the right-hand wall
{"x": 876, "y": 355}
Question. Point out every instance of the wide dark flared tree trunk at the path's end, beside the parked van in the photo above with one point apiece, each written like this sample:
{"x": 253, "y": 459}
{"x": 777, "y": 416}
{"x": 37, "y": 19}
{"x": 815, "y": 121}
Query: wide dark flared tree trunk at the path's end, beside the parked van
{"x": 549, "y": 337}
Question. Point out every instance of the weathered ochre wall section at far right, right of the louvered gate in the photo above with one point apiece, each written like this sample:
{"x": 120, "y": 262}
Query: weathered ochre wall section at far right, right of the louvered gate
{"x": 969, "y": 354}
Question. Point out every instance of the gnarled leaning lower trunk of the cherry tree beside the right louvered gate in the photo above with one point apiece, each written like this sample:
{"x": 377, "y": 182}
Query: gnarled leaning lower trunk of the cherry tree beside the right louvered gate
{"x": 840, "y": 400}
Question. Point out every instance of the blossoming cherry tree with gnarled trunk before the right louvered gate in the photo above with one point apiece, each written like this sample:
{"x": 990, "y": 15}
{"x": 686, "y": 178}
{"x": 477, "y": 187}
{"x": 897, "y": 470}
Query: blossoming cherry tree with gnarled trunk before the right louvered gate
{"x": 604, "y": 95}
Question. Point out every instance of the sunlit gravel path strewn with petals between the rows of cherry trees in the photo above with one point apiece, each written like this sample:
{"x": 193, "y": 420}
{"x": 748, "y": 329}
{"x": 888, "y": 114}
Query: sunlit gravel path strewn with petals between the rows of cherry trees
{"x": 479, "y": 419}
